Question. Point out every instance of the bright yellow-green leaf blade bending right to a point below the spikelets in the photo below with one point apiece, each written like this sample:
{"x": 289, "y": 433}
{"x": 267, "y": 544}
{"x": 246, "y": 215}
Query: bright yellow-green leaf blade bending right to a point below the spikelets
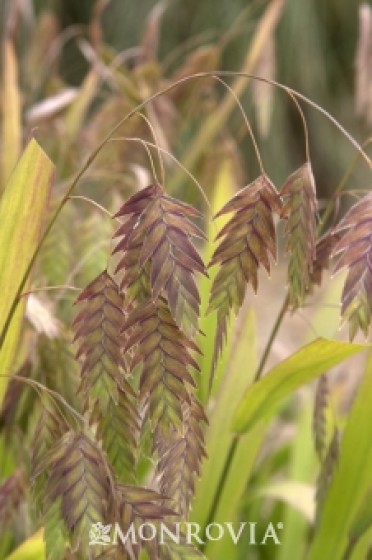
{"x": 291, "y": 374}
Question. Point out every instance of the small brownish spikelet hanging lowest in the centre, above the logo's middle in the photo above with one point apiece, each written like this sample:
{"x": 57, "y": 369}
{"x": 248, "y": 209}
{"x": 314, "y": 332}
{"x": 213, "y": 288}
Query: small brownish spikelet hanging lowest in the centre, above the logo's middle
{"x": 181, "y": 453}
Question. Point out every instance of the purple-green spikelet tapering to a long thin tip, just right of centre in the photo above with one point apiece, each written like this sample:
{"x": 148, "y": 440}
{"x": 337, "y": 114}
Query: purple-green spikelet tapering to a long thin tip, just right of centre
{"x": 245, "y": 243}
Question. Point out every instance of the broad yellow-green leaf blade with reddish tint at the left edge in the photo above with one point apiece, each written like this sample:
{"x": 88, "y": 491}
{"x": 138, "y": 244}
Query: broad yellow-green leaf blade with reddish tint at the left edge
{"x": 22, "y": 211}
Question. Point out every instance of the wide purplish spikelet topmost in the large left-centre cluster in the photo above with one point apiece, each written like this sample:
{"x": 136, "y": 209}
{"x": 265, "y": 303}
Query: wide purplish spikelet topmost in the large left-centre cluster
{"x": 159, "y": 254}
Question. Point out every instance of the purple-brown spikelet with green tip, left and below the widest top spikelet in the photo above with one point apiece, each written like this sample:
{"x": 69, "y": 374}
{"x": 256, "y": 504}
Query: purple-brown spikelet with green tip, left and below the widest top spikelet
{"x": 97, "y": 330}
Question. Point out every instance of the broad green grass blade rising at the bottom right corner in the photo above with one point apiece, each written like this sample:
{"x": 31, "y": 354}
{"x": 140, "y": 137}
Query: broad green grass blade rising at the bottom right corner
{"x": 351, "y": 480}
